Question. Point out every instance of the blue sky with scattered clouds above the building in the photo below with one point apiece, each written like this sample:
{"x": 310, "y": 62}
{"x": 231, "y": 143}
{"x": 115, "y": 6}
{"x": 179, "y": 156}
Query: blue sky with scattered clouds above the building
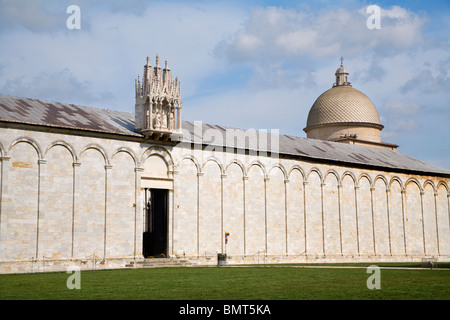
{"x": 253, "y": 64}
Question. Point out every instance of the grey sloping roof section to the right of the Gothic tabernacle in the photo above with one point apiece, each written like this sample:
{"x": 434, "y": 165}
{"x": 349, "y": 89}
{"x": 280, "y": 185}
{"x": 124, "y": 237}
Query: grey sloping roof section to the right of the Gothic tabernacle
{"x": 311, "y": 148}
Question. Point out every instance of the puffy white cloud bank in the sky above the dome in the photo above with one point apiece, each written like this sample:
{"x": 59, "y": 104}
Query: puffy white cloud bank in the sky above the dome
{"x": 283, "y": 33}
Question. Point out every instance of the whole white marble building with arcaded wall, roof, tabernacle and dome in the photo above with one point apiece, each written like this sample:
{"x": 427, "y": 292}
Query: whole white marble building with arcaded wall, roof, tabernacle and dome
{"x": 104, "y": 189}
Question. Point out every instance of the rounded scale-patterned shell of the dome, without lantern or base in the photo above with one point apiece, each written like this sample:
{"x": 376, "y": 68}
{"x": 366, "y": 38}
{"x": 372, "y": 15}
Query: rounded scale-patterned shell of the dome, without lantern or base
{"x": 342, "y": 104}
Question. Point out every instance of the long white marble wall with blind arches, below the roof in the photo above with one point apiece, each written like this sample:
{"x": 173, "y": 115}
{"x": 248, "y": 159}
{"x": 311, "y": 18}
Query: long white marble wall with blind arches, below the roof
{"x": 69, "y": 198}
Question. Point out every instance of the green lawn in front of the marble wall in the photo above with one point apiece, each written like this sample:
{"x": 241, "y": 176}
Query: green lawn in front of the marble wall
{"x": 229, "y": 283}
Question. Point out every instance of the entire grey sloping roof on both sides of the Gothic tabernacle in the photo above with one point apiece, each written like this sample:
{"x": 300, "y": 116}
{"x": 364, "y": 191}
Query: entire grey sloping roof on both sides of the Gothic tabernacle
{"x": 62, "y": 115}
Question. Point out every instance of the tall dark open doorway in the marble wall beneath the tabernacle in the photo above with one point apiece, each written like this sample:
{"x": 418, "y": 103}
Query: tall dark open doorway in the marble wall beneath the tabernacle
{"x": 155, "y": 223}
